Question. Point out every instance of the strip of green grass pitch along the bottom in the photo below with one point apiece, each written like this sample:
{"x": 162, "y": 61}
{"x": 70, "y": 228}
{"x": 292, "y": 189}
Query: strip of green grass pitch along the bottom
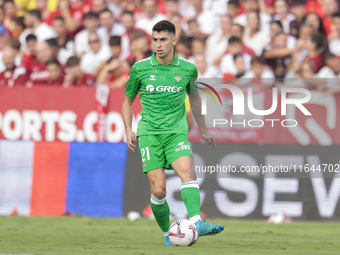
{"x": 81, "y": 235}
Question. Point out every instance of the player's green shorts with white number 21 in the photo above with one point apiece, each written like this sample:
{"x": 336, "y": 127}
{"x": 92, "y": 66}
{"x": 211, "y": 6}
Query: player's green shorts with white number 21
{"x": 159, "y": 151}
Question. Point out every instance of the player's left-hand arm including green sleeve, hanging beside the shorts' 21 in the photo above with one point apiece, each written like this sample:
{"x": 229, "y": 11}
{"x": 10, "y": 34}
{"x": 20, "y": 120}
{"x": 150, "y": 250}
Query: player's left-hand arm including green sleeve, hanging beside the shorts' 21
{"x": 131, "y": 91}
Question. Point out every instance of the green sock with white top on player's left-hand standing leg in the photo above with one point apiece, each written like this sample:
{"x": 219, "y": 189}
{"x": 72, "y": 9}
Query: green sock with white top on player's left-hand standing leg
{"x": 161, "y": 210}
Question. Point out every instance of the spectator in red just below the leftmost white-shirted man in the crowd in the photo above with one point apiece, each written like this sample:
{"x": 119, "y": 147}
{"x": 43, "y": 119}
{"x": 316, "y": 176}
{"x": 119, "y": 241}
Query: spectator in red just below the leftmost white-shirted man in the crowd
{"x": 35, "y": 65}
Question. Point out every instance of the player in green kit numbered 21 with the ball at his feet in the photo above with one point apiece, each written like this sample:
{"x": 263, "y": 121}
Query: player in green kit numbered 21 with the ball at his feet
{"x": 163, "y": 80}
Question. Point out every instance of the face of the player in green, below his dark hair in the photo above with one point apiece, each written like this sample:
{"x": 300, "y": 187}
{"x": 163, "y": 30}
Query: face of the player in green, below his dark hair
{"x": 163, "y": 43}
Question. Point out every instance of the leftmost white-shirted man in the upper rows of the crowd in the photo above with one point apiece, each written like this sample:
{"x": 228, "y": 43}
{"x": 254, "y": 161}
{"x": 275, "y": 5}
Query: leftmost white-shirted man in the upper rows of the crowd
{"x": 41, "y": 30}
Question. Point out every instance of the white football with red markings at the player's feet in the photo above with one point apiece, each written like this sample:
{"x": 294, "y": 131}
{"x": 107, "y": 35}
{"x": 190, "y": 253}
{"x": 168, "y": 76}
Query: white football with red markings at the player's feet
{"x": 183, "y": 233}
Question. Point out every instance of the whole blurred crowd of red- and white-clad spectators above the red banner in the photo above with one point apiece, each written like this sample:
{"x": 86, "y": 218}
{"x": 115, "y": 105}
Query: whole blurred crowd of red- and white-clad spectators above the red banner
{"x": 89, "y": 42}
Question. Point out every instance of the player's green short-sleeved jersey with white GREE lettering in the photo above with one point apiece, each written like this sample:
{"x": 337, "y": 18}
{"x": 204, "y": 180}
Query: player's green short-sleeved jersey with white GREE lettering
{"x": 162, "y": 90}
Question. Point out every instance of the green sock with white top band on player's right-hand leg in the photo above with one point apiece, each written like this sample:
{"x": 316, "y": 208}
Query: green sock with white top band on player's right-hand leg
{"x": 191, "y": 197}
